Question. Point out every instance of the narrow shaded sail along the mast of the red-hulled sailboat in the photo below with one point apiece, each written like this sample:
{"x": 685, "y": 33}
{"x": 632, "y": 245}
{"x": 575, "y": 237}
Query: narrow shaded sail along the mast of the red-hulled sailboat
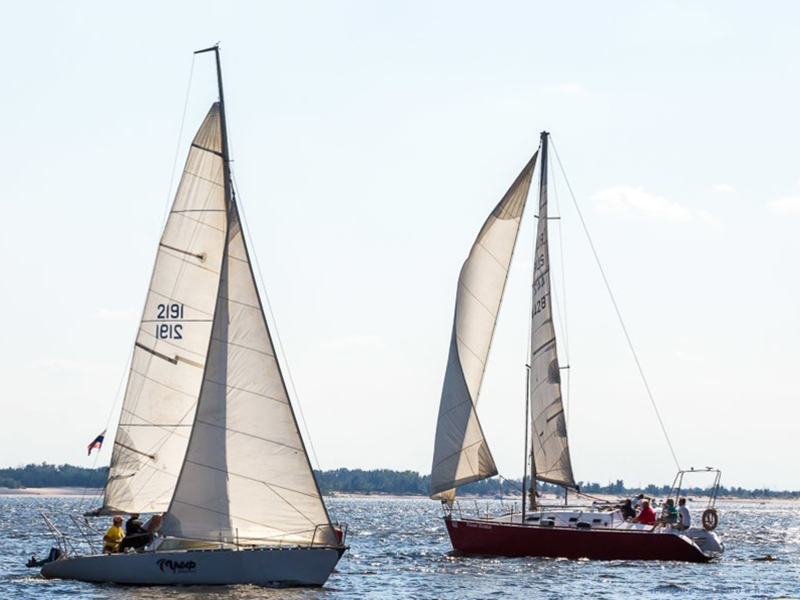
{"x": 549, "y": 445}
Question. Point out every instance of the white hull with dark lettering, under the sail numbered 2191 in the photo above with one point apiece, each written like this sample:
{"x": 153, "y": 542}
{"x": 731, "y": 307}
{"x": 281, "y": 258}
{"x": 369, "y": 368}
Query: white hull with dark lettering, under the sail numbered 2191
{"x": 284, "y": 567}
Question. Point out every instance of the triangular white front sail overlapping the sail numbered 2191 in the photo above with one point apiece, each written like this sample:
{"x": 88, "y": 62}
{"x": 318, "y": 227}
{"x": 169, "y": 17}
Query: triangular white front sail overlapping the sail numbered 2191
{"x": 246, "y": 478}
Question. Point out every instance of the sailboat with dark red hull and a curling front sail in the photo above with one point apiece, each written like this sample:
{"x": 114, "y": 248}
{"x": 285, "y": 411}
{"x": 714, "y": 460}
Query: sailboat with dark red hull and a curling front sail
{"x": 461, "y": 452}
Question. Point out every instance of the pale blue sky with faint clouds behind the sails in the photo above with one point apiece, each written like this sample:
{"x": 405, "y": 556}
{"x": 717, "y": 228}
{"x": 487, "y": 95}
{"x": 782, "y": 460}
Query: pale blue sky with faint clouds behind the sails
{"x": 370, "y": 141}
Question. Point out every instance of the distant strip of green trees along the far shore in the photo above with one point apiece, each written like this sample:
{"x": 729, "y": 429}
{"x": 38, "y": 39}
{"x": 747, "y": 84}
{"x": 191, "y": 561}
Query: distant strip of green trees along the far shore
{"x": 376, "y": 481}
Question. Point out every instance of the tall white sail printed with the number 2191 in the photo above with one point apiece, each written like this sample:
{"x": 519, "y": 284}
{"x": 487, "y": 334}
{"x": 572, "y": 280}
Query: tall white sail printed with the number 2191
{"x": 169, "y": 355}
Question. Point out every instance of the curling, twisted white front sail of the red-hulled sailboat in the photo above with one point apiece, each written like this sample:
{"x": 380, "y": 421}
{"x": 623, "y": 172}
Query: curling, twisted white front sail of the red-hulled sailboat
{"x": 461, "y": 454}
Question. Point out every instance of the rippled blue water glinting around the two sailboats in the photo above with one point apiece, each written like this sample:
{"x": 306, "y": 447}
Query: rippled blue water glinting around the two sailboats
{"x": 399, "y": 549}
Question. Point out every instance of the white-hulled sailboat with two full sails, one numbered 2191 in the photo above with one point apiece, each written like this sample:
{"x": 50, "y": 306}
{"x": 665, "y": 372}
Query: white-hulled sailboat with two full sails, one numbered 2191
{"x": 207, "y": 433}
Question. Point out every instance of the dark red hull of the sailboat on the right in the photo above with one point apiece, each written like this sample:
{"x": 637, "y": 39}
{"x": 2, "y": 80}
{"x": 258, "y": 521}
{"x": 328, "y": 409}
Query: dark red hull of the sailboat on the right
{"x": 506, "y": 539}
